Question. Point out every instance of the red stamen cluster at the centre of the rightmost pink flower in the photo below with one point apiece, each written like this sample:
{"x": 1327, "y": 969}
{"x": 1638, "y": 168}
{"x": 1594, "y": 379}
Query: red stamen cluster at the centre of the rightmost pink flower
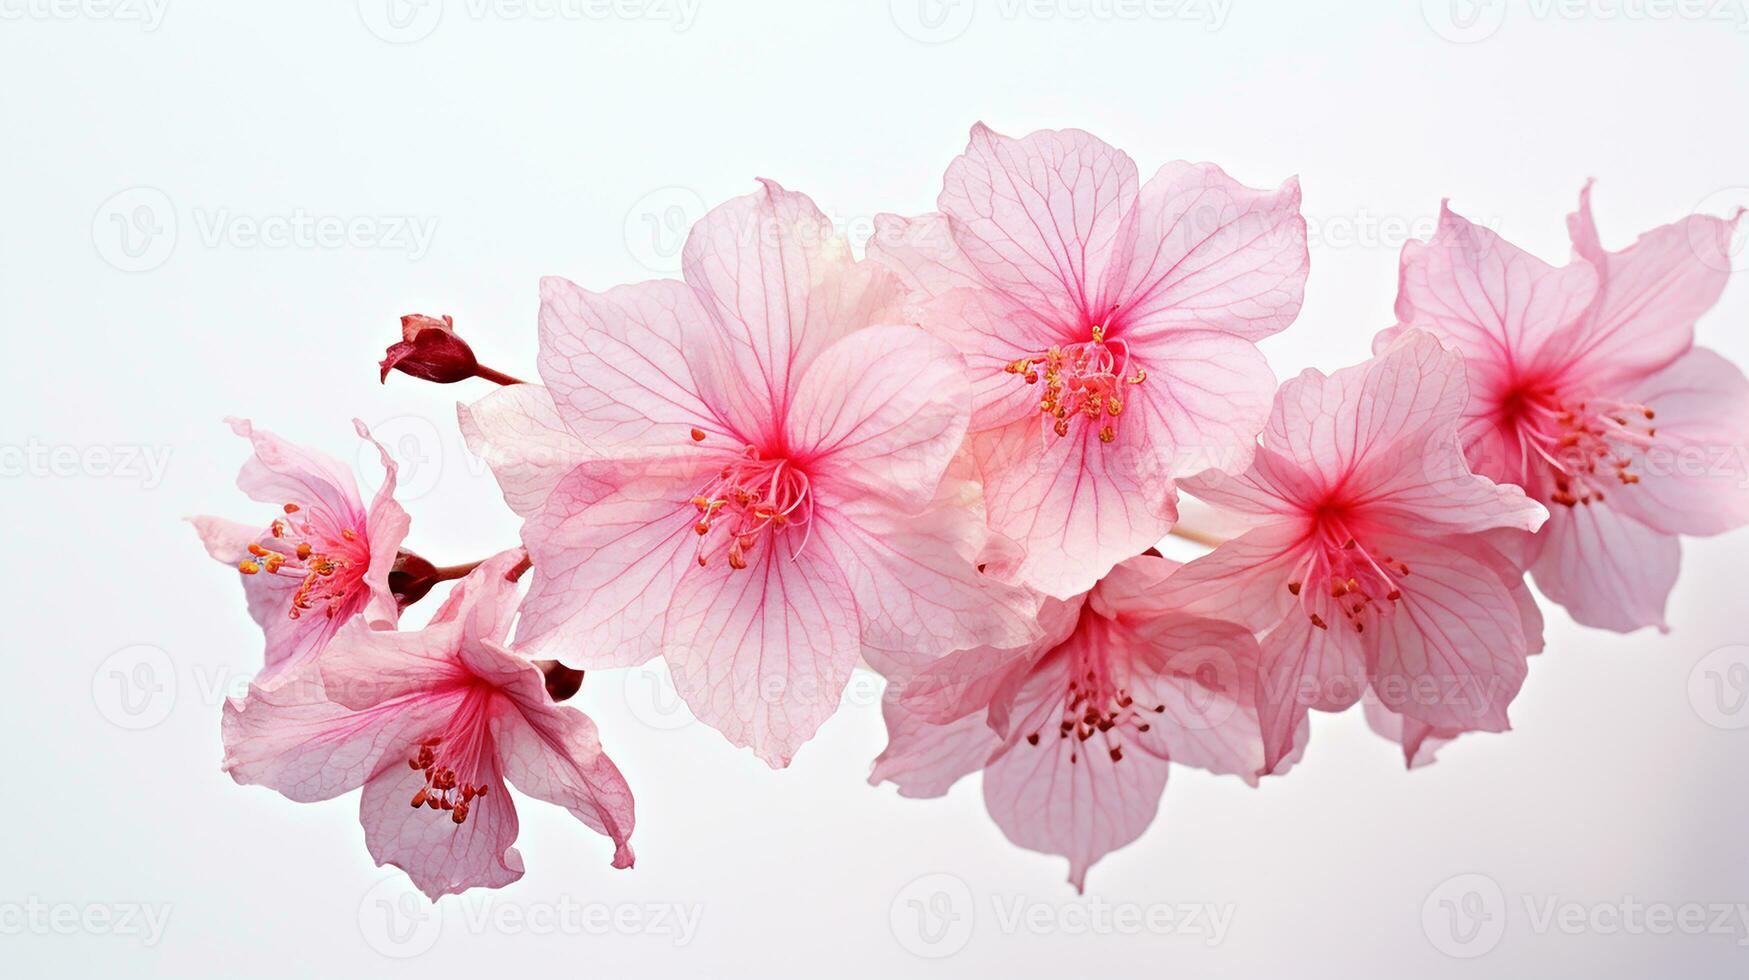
{"x": 1589, "y": 445}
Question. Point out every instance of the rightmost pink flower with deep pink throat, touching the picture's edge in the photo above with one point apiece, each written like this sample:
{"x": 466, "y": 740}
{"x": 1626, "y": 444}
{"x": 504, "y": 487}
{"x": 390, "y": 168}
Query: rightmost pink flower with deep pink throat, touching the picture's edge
{"x": 1592, "y": 396}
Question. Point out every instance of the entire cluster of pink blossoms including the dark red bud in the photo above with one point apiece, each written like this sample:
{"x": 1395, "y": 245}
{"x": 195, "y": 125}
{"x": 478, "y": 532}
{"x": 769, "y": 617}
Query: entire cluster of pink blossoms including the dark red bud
{"x": 951, "y": 461}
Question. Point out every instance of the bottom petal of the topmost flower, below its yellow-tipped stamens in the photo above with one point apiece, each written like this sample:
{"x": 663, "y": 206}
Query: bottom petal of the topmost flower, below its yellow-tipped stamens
{"x": 1077, "y": 507}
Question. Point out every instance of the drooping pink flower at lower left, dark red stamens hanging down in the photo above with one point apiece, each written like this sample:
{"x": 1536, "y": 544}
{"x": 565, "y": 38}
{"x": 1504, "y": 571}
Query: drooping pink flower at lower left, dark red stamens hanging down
{"x": 433, "y": 724}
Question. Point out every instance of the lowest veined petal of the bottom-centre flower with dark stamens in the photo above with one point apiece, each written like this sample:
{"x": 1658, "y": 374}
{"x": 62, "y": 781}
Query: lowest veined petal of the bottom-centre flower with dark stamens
{"x": 1080, "y": 809}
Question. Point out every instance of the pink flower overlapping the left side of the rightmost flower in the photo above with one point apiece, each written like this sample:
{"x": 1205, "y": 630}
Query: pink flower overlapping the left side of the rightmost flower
{"x": 1374, "y": 557}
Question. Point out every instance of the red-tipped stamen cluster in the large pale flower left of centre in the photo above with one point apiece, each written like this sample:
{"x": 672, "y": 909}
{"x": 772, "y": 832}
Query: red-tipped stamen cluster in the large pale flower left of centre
{"x": 749, "y": 500}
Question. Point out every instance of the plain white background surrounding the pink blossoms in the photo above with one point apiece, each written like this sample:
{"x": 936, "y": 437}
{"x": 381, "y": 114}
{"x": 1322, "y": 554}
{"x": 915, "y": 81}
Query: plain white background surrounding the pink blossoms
{"x": 534, "y": 144}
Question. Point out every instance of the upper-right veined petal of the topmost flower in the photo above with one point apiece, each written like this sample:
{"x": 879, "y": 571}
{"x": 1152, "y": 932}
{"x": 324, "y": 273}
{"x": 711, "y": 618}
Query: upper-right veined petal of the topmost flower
{"x": 1213, "y": 255}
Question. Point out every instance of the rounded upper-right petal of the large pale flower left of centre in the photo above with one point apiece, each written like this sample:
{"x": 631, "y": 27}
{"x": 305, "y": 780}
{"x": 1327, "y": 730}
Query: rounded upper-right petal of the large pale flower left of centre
{"x": 881, "y": 414}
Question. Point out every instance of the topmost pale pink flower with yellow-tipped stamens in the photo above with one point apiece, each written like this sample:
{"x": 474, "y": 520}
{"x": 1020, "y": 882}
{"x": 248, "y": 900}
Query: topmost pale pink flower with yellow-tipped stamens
{"x": 1110, "y": 330}
